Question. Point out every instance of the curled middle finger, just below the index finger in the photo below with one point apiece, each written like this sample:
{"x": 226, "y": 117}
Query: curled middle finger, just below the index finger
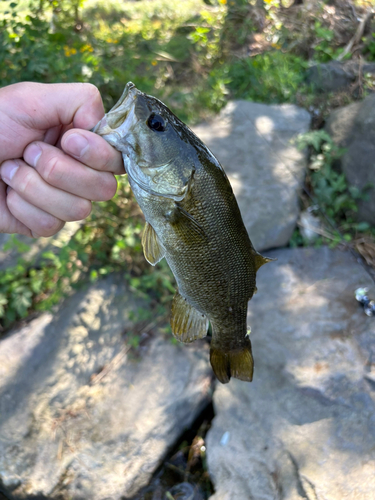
{"x": 63, "y": 172}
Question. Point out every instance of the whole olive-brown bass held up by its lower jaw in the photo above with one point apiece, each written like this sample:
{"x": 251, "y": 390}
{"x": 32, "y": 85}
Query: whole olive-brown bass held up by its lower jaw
{"x": 194, "y": 222}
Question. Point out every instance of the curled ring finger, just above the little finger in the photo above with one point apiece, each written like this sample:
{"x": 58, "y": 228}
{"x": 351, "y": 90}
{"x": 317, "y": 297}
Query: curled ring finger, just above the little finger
{"x": 27, "y": 182}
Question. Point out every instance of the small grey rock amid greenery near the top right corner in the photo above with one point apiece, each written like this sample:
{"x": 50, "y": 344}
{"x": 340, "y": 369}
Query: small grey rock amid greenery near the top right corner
{"x": 335, "y": 75}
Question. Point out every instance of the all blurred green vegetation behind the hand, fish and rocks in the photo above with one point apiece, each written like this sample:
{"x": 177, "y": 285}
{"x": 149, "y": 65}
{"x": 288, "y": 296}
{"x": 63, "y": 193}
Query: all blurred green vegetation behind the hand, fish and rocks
{"x": 194, "y": 55}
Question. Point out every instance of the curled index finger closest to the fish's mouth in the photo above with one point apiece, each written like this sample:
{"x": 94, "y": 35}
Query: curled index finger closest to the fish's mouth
{"x": 92, "y": 150}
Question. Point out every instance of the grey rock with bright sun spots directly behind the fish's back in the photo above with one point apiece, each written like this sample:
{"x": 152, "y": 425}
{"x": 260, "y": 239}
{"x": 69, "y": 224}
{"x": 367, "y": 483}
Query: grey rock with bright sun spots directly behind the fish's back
{"x": 253, "y": 142}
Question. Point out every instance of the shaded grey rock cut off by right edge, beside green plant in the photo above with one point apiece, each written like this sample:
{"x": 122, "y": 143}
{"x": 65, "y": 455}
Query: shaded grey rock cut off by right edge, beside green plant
{"x": 353, "y": 128}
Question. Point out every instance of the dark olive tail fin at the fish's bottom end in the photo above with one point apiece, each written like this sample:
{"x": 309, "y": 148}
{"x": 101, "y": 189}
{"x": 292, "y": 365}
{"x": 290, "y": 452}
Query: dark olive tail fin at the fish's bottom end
{"x": 237, "y": 363}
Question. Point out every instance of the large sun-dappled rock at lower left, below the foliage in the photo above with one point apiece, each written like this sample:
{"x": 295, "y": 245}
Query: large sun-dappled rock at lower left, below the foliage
{"x": 80, "y": 416}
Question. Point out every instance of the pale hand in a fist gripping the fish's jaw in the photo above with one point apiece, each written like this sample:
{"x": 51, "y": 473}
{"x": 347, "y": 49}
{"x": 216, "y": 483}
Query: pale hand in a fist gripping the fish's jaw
{"x": 51, "y": 166}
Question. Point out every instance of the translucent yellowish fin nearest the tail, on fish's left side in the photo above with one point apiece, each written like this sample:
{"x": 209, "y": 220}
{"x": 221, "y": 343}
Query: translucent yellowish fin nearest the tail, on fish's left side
{"x": 187, "y": 323}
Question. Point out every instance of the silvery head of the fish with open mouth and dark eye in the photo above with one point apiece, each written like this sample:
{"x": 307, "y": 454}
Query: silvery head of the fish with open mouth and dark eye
{"x": 158, "y": 149}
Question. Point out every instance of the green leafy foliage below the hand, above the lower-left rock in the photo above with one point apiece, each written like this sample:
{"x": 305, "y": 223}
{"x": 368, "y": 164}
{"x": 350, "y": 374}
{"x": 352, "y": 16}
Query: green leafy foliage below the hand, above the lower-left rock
{"x": 108, "y": 242}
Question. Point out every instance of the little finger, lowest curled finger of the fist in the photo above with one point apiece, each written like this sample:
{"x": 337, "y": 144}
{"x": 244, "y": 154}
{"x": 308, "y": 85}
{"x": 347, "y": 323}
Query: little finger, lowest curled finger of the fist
{"x": 40, "y": 223}
